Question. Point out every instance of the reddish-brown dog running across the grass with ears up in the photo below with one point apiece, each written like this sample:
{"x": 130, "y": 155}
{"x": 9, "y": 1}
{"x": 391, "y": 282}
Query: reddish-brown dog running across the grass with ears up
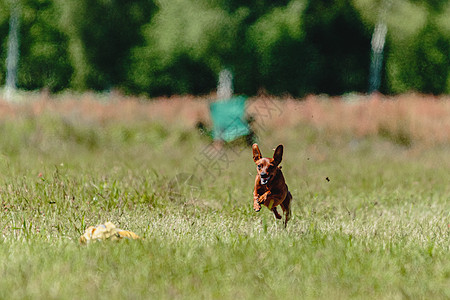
{"x": 270, "y": 187}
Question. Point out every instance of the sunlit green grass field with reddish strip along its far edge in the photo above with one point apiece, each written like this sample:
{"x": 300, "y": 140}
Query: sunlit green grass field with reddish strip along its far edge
{"x": 370, "y": 181}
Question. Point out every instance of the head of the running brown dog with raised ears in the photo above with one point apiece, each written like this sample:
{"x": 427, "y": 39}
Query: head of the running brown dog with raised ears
{"x": 267, "y": 167}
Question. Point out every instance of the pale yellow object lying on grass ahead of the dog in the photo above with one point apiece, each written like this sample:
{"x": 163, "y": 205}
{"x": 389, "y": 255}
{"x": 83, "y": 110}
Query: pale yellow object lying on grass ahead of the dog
{"x": 107, "y": 231}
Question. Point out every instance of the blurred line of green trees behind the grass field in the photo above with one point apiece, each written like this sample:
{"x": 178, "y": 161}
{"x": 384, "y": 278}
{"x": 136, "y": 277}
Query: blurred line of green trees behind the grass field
{"x": 165, "y": 47}
